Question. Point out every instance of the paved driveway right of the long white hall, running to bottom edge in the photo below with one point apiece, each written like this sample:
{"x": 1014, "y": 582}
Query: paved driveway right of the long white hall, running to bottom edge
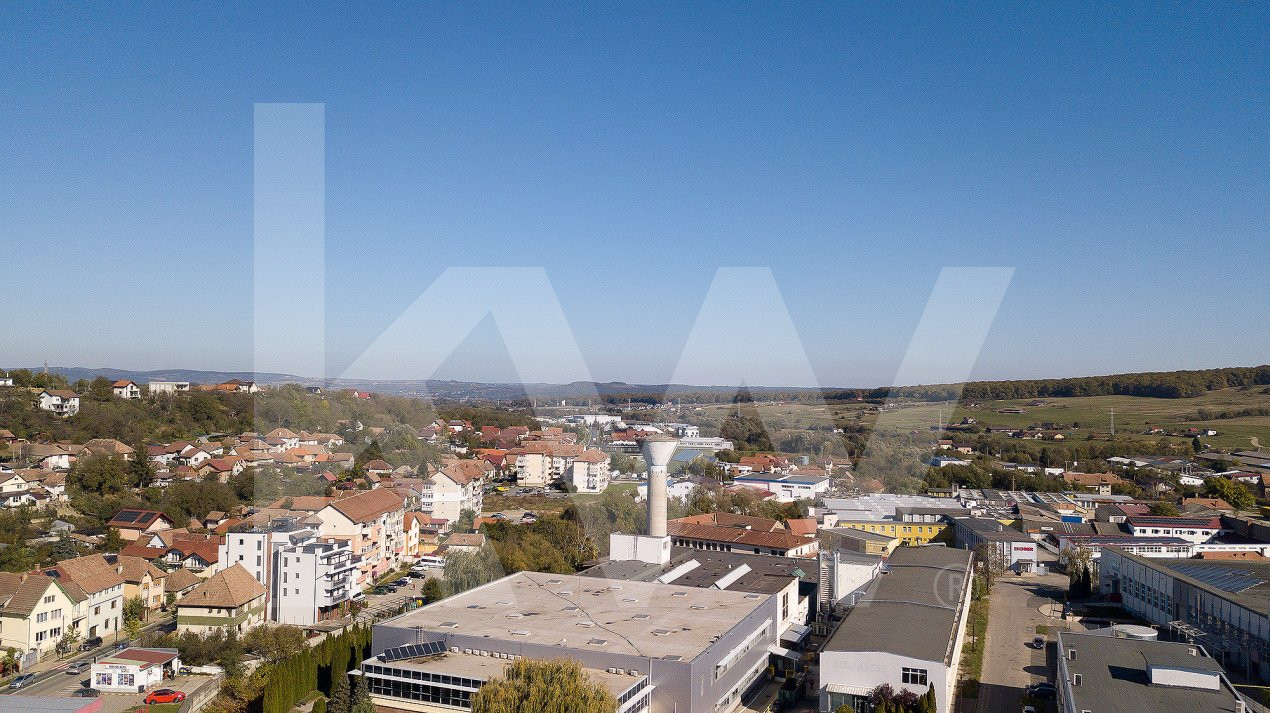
{"x": 1010, "y": 664}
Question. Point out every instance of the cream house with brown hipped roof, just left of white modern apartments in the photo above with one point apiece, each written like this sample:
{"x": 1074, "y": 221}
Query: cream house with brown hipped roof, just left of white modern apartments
{"x": 229, "y": 601}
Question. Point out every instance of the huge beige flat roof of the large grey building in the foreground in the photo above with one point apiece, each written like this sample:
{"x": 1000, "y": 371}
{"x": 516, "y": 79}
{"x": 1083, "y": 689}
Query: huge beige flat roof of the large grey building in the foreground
{"x": 568, "y": 611}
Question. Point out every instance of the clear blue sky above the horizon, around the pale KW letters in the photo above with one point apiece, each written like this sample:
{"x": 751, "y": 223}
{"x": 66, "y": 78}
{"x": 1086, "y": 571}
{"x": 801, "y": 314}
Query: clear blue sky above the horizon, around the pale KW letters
{"x": 1116, "y": 158}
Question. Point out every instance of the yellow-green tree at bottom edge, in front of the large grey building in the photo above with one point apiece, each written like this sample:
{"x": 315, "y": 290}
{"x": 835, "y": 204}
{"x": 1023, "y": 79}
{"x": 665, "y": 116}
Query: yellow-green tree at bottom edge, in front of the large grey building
{"x": 533, "y": 686}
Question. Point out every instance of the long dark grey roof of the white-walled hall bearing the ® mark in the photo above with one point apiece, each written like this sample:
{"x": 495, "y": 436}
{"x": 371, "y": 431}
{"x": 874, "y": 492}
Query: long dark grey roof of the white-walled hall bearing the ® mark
{"x": 911, "y": 611}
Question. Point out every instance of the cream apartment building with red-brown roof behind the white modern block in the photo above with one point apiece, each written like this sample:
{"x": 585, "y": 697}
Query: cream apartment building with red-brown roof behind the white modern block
{"x": 373, "y": 524}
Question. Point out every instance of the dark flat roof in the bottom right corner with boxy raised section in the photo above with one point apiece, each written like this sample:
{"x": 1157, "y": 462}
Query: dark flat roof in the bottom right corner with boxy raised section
{"x": 1114, "y": 676}
